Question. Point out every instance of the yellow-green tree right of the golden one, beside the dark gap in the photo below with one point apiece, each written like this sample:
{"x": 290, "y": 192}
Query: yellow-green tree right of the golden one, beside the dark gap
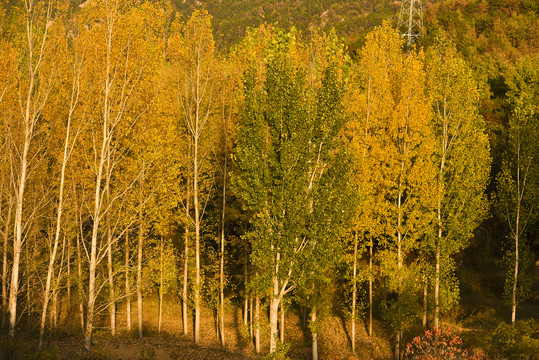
{"x": 461, "y": 178}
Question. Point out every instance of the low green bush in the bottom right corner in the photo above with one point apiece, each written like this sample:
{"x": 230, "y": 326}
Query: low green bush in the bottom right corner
{"x": 519, "y": 341}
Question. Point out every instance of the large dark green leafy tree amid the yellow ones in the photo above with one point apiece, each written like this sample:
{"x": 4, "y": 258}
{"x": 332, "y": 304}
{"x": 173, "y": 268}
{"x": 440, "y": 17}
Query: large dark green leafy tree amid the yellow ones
{"x": 285, "y": 150}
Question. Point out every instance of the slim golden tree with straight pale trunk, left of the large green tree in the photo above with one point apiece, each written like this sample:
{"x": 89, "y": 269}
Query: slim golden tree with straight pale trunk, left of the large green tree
{"x": 193, "y": 55}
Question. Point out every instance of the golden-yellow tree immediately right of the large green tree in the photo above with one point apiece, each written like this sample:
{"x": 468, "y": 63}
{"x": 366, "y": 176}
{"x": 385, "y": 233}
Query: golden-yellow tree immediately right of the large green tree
{"x": 394, "y": 109}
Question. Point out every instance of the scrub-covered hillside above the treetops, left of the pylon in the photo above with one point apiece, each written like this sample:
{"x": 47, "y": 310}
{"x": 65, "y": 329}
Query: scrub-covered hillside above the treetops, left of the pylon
{"x": 351, "y": 19}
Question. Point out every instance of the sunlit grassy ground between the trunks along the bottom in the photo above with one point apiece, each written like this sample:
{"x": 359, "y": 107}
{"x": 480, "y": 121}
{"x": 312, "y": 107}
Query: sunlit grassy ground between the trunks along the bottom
{"x": 334, "y": 339}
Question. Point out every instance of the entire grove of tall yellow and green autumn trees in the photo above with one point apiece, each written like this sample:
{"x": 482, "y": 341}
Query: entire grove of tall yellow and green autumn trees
{"x": 138, "y": 156}
